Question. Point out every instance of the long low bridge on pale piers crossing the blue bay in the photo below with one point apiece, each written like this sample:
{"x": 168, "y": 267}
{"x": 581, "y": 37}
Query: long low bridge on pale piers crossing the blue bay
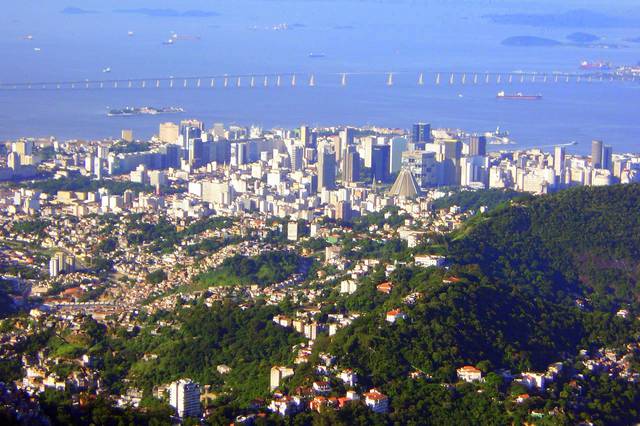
{"x": 293, "y": 79}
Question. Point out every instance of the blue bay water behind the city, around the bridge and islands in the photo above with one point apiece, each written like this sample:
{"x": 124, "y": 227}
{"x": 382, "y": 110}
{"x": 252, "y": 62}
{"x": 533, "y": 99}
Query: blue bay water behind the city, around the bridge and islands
{"x": 356, "y": 36}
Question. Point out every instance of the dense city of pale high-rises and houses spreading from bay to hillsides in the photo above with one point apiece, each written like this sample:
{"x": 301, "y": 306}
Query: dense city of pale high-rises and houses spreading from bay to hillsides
{"x": 165, "y": 212}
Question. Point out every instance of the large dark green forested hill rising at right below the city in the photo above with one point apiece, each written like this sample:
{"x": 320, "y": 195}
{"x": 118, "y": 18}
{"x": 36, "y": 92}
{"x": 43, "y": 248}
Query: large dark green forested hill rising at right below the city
{"x": 534, "y": 283}
